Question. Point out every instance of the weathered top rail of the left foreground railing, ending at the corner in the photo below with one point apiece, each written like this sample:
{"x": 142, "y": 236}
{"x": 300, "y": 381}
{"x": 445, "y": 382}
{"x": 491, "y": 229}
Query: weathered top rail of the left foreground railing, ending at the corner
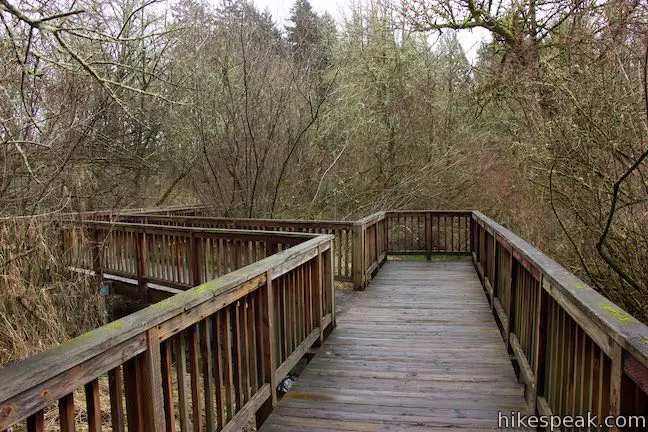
{"x": 52, "y": 362}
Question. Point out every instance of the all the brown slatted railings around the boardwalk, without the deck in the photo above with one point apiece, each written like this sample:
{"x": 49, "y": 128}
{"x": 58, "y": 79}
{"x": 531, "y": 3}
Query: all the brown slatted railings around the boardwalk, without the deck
{"x": 213, "y": 355}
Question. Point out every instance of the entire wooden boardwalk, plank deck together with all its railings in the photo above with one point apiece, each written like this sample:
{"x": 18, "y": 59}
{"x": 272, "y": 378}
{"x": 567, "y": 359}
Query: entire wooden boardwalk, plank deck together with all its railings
{"x": 428, "y": 345}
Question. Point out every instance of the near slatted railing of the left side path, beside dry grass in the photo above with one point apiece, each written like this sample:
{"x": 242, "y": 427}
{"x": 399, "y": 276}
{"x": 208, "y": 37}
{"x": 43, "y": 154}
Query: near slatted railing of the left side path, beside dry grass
{"x": 176, "y": 257}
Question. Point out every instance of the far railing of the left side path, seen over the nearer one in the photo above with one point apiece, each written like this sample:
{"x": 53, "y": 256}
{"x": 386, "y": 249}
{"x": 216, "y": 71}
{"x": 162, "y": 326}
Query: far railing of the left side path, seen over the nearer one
{"x": 343, "y": 232}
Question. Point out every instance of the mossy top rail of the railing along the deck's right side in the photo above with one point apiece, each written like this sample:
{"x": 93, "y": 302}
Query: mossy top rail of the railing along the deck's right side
{"x": 626, "y": 330}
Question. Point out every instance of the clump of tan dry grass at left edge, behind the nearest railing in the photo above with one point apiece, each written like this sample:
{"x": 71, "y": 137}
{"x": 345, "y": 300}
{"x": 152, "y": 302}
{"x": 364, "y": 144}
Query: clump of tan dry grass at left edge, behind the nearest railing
{"x": 41, "y": 303}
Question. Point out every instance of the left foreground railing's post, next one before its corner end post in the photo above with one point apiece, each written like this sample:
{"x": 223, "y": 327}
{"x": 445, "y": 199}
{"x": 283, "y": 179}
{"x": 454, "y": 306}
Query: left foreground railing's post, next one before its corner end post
{"x": 269, "y": 350}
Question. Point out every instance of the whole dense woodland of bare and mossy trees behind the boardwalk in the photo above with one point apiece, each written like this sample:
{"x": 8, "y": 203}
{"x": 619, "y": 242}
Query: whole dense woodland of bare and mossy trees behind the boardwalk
{"x": 118, "y": 103}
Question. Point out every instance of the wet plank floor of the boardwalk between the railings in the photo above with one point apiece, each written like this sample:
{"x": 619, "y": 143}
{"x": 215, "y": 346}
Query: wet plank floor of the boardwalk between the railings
{"x": 419, "y": 350}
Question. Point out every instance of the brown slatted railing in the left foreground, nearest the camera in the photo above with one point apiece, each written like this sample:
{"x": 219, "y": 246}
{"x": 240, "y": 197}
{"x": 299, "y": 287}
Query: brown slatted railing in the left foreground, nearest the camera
{"x": 209, "y": 357}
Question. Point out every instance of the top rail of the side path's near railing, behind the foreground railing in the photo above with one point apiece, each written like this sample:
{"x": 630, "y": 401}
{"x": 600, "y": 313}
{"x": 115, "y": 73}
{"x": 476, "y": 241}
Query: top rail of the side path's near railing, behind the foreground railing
{"x": 186, "y": 229}
